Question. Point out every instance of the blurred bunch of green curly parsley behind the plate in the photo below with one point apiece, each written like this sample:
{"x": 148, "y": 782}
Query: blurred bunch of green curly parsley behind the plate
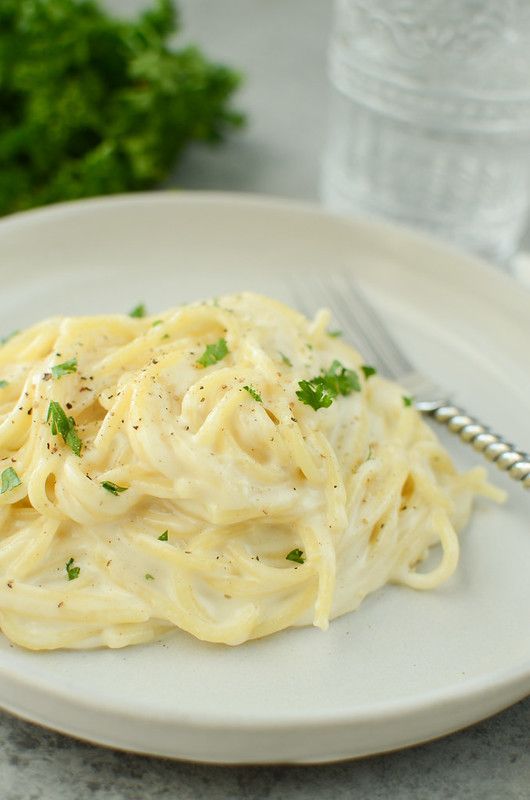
{"x": 93, "y": 105}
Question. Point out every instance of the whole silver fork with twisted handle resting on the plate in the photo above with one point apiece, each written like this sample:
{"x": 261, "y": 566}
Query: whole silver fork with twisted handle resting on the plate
{"x": 363, "y": 327}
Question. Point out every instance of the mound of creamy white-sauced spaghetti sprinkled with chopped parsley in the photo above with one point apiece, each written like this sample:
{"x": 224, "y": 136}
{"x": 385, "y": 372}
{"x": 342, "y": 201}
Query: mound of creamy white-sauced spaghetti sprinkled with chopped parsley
{"x": 228, "y": 468}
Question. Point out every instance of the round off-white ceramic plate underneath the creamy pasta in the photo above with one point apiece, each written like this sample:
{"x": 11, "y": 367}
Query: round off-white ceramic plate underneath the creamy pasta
{"x": 407, "y": 666}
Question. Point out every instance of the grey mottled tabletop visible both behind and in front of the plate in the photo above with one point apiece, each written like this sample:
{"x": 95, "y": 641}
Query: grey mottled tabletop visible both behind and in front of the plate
{"x": 281, "y": 46}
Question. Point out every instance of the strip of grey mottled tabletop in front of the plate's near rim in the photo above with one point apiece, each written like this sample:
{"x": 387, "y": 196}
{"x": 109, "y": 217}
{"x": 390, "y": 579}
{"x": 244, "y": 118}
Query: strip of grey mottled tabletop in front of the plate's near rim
{"x": 490, "y": 761}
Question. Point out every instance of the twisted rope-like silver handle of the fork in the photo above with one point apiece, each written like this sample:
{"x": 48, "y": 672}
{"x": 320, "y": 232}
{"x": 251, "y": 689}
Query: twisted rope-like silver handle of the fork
{"x": 494, "y": 447}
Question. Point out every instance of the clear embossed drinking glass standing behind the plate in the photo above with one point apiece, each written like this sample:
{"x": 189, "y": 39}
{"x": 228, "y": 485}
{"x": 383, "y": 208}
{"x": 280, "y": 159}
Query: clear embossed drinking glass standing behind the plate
{"x": 430, "y": 117}
